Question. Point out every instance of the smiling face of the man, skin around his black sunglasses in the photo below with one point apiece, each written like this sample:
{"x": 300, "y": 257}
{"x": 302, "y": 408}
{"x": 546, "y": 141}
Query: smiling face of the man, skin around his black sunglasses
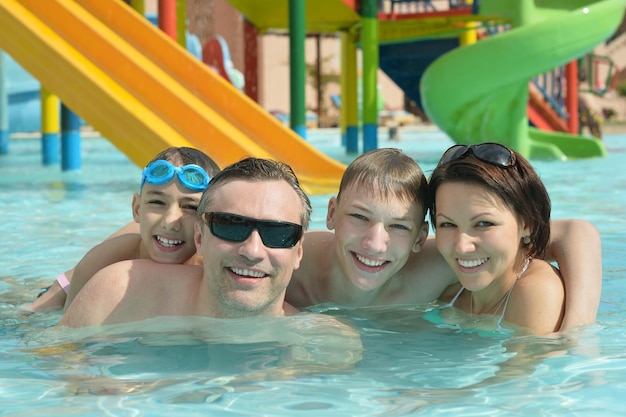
{"x": 248, "y": 278}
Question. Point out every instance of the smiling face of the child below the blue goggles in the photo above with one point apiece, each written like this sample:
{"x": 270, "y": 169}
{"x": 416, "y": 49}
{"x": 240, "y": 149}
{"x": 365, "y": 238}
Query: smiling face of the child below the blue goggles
{"x": 166, "y": 215}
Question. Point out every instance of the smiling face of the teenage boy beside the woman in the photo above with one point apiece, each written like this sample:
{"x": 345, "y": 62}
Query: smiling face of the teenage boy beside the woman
{"x": 374, "y": 236}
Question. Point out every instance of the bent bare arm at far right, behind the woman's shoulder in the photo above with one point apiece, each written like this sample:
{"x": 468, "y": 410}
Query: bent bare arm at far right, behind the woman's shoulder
{"x": 575, "y": 245}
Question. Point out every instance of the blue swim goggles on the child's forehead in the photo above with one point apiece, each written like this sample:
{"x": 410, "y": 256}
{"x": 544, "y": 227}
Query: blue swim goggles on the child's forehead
{"x": 160, "y": 172}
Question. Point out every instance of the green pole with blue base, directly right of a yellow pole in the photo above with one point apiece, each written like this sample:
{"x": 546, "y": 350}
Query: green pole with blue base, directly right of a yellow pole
{"x": 369, "y": 46}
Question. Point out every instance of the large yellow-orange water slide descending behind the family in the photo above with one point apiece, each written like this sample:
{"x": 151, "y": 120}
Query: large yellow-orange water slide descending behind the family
{"x": 143, "y": 92}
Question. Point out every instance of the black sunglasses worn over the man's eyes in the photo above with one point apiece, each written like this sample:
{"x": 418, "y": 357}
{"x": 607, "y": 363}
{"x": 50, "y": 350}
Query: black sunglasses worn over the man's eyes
{"x": 236, "y": 228}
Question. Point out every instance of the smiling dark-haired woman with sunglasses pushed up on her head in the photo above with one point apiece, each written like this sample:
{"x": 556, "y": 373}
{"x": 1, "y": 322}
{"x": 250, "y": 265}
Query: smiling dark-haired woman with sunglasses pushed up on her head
{"x": 491, "y": 214}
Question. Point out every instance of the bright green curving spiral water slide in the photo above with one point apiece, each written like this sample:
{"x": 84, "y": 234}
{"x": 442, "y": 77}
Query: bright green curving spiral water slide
{"x": 479, "y": 93}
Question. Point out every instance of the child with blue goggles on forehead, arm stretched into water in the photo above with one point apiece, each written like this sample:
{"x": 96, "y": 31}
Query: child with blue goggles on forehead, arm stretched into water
{"x": 164, "y": 213}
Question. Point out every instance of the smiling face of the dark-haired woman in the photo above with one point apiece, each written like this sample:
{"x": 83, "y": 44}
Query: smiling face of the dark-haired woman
{"x": 479, "y": 236}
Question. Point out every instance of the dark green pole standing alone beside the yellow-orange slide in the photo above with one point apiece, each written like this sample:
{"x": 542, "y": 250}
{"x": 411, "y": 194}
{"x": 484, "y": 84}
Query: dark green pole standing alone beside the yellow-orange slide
{"x": 297, "y": 69}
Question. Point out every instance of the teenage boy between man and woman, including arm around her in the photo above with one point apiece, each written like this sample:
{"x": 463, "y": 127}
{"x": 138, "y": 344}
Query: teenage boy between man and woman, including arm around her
{"x": 380, "y": 253}
